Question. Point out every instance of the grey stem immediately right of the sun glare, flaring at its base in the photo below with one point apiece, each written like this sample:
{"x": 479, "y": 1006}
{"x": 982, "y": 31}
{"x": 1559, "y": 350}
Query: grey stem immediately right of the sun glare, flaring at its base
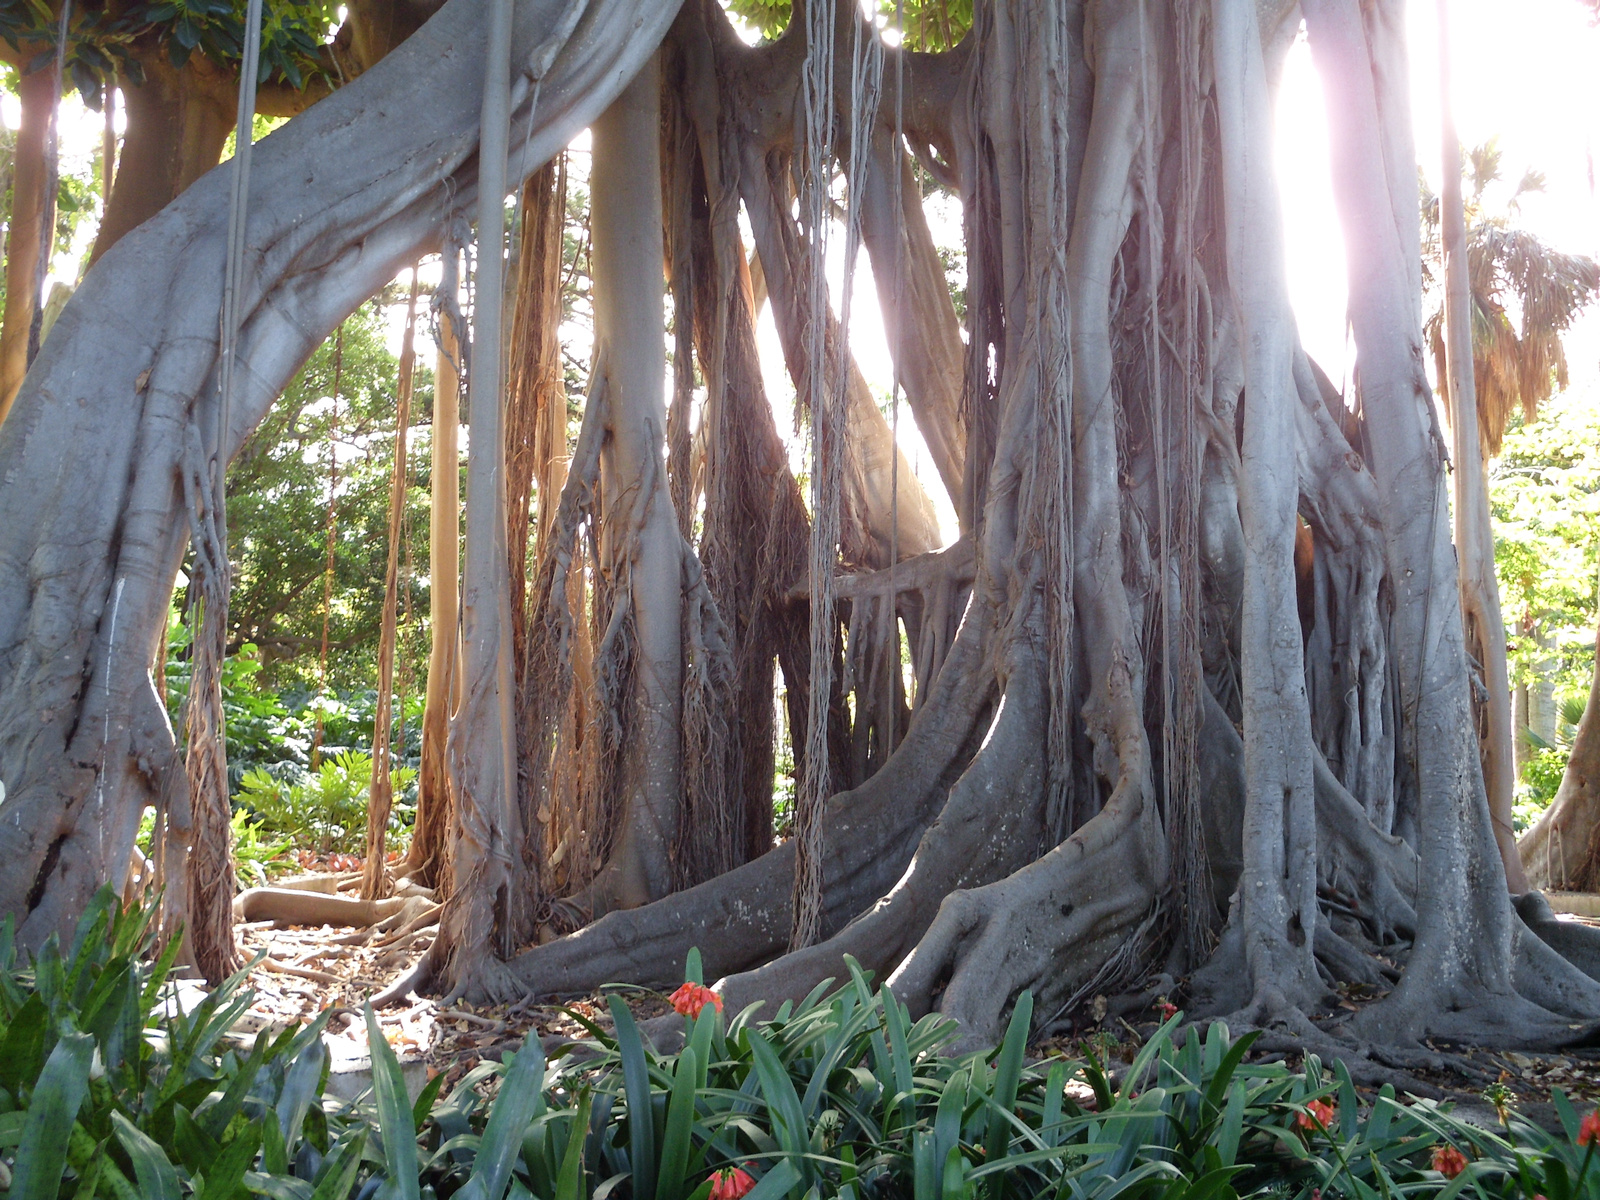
{"x": 1471, "y": 958}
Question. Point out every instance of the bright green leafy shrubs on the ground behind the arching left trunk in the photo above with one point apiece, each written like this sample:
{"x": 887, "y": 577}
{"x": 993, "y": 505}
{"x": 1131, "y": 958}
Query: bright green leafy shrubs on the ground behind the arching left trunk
{"x": 327, "y": 809}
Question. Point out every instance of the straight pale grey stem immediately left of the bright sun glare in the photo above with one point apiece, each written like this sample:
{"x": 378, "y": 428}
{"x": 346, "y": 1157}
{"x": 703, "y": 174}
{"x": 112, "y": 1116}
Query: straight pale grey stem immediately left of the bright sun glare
{"x": 1279, "y": 887}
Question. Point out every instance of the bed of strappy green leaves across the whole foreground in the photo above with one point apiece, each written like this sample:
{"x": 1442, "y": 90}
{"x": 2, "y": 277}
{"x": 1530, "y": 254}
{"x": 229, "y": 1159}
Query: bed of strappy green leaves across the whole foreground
{"x": 110, "y": 1089}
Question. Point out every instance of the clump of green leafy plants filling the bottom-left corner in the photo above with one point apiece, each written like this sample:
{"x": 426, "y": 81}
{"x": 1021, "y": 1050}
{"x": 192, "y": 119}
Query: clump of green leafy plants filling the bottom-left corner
{"x": 110, "y": 1087}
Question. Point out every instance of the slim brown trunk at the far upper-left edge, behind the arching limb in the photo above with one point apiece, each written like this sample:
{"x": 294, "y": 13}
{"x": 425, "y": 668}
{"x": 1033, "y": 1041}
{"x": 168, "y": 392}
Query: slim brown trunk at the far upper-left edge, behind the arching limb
{"x": 33, "y": 214}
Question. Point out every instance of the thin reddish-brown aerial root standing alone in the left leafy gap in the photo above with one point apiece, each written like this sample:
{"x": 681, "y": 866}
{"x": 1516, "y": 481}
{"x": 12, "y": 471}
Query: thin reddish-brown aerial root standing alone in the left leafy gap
{"x": 380, "y": 796}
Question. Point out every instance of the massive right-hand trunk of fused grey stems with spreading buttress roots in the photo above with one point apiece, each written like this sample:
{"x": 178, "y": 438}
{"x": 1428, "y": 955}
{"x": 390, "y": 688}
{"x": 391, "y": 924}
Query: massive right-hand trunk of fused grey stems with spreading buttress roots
{"x": 1132, "y": 359}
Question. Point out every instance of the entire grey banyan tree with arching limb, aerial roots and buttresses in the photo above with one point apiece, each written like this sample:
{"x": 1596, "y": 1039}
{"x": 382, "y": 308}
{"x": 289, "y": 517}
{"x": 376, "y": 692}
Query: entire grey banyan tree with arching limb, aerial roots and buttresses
{"x": 1190, "y": 692}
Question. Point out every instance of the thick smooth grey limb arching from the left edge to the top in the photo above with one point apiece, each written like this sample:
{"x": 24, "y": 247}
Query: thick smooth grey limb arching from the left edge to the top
{"x": 95, "y": 527}
